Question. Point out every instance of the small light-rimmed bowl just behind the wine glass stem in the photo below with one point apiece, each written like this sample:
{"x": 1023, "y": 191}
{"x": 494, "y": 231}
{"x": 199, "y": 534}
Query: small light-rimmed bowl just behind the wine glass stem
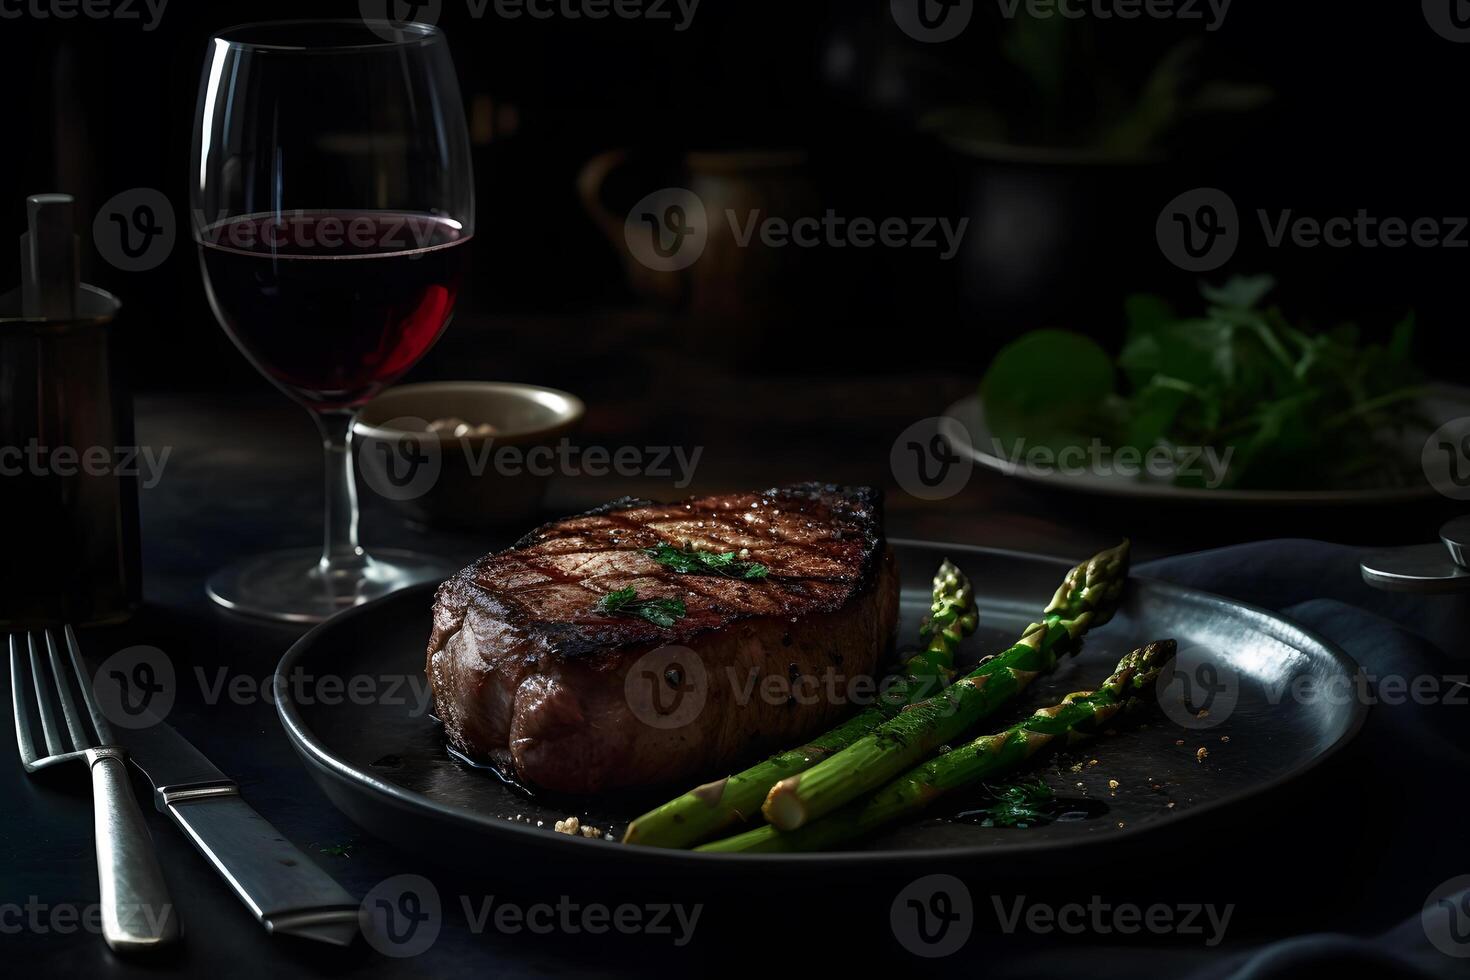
{"x": 456, "y": 480}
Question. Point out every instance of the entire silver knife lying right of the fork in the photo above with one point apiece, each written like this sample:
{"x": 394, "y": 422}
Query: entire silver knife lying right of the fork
{"x": 279, "y": 884}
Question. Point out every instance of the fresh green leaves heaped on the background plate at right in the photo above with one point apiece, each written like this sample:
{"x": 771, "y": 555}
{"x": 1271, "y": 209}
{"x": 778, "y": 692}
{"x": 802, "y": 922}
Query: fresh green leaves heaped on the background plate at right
{"x": 1288, "y": 408}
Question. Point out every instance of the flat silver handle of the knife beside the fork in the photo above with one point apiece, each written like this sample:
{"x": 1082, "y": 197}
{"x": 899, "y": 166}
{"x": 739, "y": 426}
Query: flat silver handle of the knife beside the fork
{"x": 282, "y": 887}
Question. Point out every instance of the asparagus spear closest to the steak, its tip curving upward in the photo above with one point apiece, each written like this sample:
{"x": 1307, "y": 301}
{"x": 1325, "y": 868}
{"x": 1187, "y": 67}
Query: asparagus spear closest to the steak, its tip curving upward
{"x": 705, "y": 812}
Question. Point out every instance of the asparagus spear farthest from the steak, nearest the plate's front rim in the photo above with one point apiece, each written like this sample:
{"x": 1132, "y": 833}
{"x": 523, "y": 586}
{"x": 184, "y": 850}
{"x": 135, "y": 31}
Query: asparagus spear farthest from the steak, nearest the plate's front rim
{"x": 1078, "y": 716}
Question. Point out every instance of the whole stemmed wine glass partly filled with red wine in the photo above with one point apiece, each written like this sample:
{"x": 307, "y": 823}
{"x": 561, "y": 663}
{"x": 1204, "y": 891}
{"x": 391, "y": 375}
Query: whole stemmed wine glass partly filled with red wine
{"x": 333, "y": 202}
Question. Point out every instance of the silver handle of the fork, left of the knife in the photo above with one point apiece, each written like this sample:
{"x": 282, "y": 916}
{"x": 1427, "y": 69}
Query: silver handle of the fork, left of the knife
{"x": 137, "y": 913}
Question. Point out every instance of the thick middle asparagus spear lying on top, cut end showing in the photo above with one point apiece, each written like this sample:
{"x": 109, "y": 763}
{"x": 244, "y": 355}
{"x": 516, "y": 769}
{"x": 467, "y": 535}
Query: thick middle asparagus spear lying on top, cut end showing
{"x": 1087, "y": 599}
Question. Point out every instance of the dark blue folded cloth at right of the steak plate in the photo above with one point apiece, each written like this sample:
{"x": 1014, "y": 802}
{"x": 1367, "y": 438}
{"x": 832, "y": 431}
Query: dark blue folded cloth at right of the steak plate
{"x": 1406, "y": 778}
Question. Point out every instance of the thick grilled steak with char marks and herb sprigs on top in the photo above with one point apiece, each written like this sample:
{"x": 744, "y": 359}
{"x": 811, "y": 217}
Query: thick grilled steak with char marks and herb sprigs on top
{"x": 528, "y": 675}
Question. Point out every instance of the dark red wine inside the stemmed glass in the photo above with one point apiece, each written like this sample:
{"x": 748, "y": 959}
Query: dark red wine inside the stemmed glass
{"x": 334, "y": 306}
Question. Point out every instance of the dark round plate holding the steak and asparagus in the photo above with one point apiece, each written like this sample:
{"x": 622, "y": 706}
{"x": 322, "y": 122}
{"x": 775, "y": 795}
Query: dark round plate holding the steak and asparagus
{"x": 1272, "y": 718}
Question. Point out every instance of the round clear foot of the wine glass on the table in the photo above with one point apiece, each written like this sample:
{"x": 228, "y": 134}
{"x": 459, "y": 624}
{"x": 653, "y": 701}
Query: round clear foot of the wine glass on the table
{"x": 290, "y": 586}
